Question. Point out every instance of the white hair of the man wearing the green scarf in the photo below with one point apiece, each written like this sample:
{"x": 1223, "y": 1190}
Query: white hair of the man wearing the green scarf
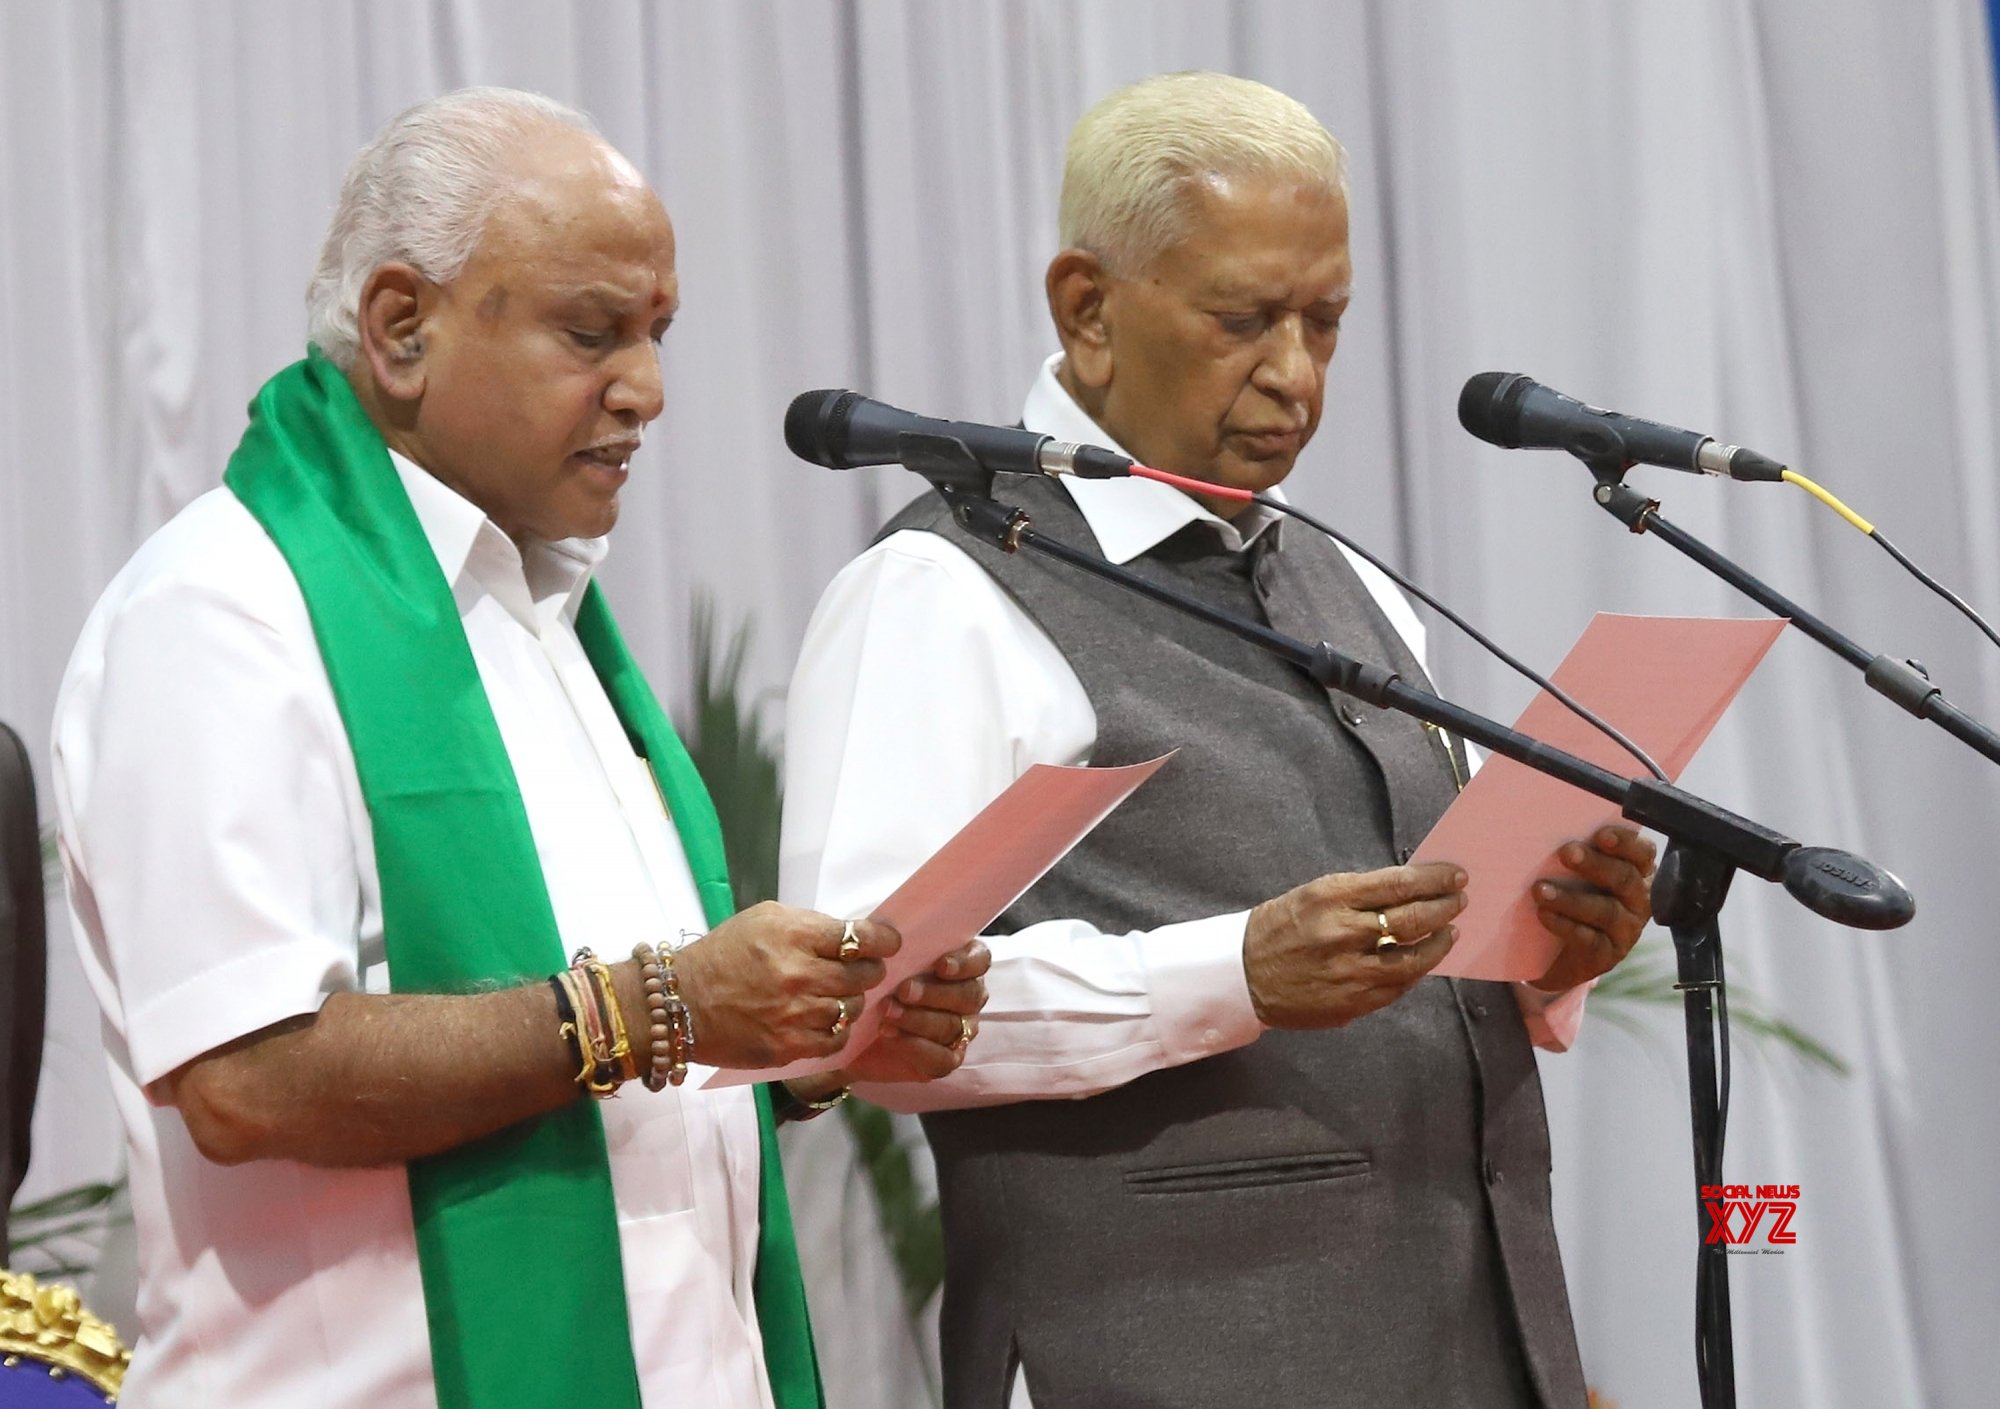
{"x": 421, "y": 195}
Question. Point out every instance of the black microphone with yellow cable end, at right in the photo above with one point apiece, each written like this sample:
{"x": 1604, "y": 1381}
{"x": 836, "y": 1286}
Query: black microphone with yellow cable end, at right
{"x": 1517, "y": 411}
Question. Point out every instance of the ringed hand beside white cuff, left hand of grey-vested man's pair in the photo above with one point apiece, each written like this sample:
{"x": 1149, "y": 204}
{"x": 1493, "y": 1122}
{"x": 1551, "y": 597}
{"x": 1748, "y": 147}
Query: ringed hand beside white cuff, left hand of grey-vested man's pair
{"x": 1315, "y": 960}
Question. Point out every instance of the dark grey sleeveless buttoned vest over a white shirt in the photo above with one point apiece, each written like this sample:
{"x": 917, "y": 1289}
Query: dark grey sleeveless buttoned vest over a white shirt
{"x": 1337, "y": 1218}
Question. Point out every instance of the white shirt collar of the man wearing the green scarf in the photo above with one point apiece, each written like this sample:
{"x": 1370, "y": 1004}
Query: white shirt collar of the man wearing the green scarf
{"x": 537, "y": 587}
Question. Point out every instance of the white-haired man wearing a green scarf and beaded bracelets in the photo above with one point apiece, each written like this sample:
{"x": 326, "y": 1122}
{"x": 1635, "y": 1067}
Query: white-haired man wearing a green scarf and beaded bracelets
{"x": 351, "y": 760}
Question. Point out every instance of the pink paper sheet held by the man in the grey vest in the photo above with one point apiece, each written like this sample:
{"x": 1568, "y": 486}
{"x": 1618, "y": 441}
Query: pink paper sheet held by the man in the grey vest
{"x": 1665, "y": 681}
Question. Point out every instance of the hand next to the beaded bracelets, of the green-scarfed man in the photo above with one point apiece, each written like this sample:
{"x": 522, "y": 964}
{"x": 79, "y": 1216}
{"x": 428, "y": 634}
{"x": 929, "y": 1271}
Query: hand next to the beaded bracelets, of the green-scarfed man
{"x": 769, "y": 986}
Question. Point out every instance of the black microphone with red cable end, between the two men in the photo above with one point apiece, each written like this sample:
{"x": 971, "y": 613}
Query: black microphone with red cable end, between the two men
{"x": 845, "y": 431}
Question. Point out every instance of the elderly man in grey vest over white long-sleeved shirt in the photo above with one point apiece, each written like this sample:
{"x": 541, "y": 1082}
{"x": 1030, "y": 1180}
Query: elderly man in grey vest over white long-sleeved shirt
{"x": 1221, "y": 1142}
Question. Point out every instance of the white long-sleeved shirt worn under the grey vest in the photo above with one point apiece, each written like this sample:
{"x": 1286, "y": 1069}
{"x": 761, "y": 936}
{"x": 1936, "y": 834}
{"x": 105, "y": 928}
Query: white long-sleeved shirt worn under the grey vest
{"x": 921, "y": 693}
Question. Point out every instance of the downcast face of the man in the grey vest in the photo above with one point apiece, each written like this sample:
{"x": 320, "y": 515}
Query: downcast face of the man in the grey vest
{"x": 1219, "y": 349}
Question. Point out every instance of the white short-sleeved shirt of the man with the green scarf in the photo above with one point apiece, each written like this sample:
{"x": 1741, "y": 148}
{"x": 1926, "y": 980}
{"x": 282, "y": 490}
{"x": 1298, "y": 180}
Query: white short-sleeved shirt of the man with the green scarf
{"x": 223, "y": 880}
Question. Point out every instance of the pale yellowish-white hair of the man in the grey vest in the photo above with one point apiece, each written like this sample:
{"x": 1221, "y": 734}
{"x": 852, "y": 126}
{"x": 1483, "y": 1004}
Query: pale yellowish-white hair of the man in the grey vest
{"x": 1135, "y": 157}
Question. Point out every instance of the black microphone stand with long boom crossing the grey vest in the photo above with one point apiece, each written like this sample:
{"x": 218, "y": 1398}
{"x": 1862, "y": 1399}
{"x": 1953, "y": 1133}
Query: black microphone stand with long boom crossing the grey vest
{"x": 1707, "y": 844}
